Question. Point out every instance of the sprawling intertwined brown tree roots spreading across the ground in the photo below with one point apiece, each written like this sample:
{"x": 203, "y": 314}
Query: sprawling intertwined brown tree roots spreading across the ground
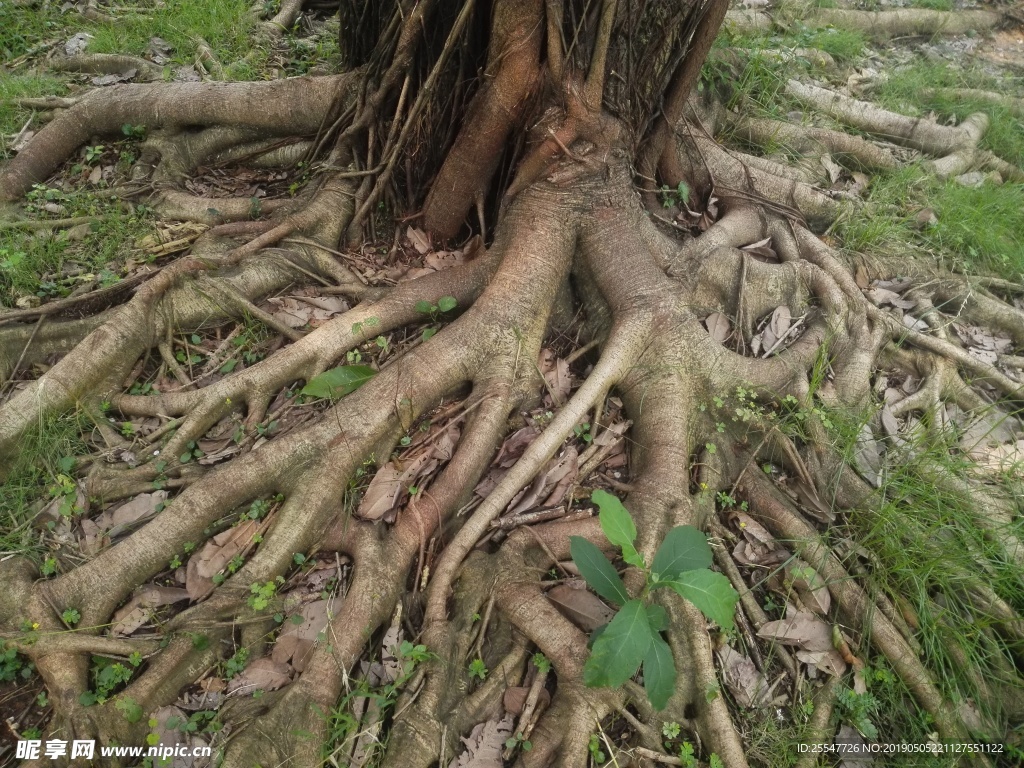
{"x": 648, "y": 298}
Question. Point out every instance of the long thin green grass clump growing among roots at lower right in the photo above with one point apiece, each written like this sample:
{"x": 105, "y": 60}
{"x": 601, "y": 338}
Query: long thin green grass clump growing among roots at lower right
{"x": 927, "y": 549}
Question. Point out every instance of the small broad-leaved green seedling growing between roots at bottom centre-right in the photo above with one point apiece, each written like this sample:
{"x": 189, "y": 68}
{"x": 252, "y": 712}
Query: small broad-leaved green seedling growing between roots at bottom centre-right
{"x": 633, "y": 637}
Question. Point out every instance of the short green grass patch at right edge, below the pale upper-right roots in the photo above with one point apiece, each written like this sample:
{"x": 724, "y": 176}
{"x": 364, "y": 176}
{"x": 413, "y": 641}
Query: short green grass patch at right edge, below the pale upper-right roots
{"x": 977, "y": 230}
